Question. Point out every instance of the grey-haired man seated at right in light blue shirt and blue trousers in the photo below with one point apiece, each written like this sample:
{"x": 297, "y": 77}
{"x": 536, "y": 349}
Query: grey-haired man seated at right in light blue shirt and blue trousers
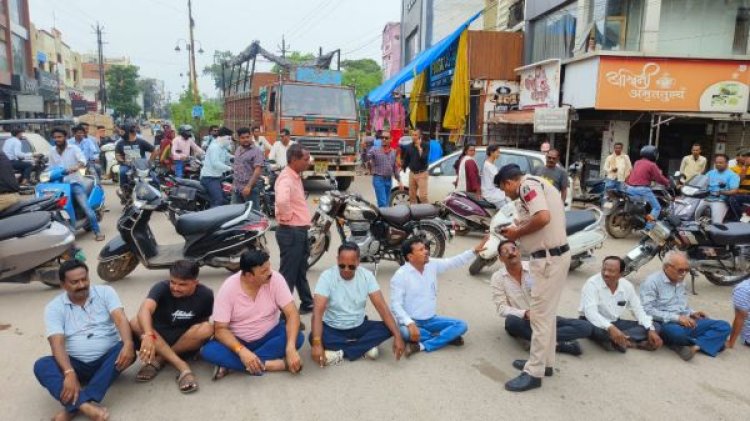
{"x": 684, "y": 330}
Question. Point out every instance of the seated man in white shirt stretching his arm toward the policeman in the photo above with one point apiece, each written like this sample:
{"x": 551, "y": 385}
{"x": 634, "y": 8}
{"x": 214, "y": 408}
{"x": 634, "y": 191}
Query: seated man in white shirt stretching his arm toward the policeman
{"x": 414, "y": 298}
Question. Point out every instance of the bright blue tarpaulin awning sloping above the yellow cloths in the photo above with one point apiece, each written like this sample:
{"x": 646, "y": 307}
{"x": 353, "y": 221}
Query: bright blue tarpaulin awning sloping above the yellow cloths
{"x": 384, "y": 92}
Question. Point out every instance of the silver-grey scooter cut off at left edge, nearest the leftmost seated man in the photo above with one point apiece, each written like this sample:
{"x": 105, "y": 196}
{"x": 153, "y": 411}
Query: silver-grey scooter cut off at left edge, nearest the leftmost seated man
{"x": 32, "y": 246}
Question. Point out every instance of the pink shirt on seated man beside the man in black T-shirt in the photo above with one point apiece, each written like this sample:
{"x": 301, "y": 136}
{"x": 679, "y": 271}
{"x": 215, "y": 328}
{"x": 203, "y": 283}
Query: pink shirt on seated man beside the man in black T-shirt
{"x": 250, "y": 319}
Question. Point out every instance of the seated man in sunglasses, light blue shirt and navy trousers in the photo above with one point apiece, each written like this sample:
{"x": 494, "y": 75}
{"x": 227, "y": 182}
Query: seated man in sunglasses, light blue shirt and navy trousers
{"x": 340, "y": 328}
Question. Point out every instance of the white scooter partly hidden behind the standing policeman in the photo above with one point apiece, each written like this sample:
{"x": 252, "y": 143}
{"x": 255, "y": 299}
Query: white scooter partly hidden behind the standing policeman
{"x": 584, "y": 229}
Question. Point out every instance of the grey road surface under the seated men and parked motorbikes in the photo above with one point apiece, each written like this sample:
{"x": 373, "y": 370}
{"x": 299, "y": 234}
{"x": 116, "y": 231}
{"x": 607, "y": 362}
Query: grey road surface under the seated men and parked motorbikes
{"x": 454, "y": 383}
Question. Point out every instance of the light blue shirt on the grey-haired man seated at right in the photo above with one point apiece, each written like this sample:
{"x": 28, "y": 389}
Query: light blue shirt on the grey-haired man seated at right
{"x": 663, "y": 299}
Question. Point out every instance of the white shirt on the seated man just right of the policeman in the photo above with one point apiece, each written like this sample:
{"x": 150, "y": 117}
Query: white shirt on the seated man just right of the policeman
{"x": 601, "y": 308}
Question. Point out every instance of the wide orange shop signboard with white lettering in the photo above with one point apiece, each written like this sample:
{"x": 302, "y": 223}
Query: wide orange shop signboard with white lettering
{"x": 669, "y": 84}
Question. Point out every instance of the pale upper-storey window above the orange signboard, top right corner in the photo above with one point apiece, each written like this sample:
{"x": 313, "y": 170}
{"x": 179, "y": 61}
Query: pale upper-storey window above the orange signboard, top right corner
{"x": 702, "y": 28}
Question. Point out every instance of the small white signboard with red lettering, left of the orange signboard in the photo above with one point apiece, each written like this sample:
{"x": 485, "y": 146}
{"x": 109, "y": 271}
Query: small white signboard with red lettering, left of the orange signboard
{"x": 540, "y": 85}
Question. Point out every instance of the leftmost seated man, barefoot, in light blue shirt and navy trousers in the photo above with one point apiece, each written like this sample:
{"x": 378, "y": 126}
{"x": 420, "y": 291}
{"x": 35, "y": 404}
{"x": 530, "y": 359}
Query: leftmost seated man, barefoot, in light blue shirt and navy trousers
{"x": 91, "y": 342}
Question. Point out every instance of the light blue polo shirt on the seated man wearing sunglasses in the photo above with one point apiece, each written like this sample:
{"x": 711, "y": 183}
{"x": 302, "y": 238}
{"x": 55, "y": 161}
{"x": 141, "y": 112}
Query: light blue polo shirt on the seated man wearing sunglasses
{"x": 347, "y": 299}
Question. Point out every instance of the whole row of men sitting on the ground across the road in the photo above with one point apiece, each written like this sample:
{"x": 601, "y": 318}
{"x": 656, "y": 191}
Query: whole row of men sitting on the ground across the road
{"x": 253, "y": 324}
